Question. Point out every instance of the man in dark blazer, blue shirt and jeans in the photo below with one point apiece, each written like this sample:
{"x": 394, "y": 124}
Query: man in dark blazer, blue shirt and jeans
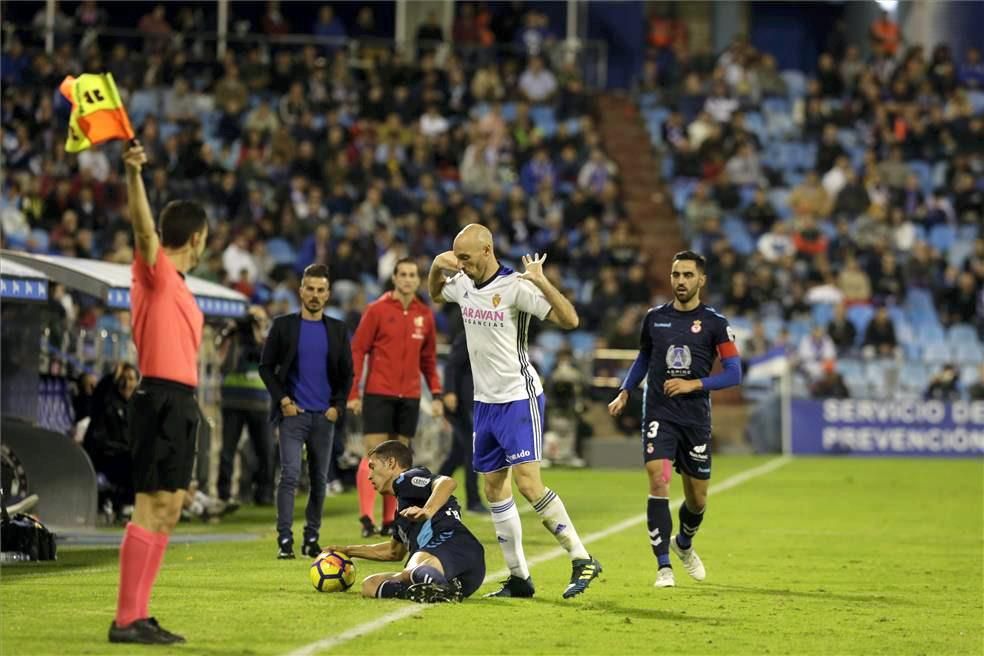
{"x": 306, "y": 366}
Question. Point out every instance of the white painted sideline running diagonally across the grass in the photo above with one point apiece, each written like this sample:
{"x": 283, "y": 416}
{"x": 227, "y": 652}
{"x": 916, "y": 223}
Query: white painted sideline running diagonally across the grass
{"x": 413, "y": 609}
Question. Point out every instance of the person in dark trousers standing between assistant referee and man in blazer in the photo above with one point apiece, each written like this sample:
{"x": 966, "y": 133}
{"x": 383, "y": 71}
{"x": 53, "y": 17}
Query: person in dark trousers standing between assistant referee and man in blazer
{"x": 245, "y": 402}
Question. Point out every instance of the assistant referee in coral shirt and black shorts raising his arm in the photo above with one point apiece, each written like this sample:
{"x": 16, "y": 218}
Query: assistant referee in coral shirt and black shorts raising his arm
{"x": 167, "y": 330}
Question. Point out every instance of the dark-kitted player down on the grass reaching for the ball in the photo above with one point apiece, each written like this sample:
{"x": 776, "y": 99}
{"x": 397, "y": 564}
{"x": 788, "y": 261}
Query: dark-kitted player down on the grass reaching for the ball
{"x": 447, "y": 562}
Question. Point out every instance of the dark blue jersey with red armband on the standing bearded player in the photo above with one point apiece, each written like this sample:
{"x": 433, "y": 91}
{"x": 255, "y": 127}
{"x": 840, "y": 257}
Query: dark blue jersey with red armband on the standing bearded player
{"x": 676, "y": 344}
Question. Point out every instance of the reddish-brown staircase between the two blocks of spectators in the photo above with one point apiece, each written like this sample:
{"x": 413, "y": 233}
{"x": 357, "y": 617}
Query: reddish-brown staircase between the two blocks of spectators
{"x": 646, "y": 200}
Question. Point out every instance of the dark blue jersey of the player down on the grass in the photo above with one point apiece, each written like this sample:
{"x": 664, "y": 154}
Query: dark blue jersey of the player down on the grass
{"x": 413, "y": 487}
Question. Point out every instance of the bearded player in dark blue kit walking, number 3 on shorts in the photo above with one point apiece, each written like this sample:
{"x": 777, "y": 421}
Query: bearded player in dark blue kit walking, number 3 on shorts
{"x": 677, "y": 347}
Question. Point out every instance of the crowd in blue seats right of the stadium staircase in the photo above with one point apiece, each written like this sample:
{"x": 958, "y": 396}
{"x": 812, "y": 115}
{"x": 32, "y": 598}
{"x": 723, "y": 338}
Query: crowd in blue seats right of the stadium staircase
{"x": 853, "y": 187}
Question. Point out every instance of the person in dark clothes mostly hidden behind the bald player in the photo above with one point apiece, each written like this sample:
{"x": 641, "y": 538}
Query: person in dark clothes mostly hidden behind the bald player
{"x": 458, "y": 399}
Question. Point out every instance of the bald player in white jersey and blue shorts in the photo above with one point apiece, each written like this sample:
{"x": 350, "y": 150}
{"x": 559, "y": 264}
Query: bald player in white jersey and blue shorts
{"x": 497, "y": 305}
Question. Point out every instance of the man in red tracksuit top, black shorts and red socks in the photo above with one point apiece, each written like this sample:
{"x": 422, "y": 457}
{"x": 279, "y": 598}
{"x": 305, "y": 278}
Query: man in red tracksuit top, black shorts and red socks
{"x": 397, "y": 331}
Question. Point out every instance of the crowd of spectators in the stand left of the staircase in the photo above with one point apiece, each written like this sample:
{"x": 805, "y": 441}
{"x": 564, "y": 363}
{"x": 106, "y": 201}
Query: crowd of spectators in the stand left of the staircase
{"x": 317, "y": 153}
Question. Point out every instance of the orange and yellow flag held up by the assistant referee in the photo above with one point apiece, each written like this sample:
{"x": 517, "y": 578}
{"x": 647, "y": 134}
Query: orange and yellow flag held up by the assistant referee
{"x": 98, "y": 113}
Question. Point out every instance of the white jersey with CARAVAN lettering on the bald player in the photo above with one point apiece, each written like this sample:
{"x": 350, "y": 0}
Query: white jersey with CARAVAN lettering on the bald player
{"x": 497, "y": 318}
